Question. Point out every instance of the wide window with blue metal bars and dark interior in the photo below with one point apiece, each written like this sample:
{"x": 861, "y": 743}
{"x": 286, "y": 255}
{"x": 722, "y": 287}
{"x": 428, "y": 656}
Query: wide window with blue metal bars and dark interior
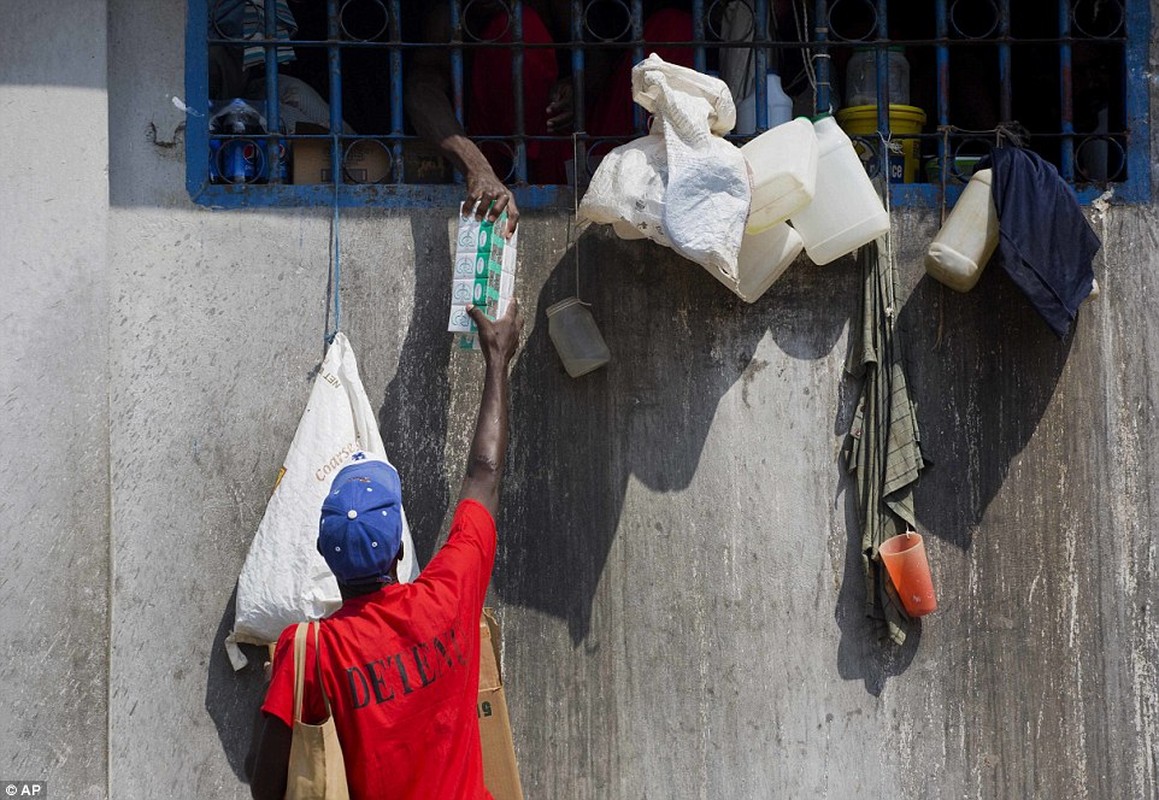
{"x": 994, "y": 47}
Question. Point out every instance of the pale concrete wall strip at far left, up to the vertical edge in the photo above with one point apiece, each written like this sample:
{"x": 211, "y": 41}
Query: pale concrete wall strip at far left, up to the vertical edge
{"x": 54, "y": 397}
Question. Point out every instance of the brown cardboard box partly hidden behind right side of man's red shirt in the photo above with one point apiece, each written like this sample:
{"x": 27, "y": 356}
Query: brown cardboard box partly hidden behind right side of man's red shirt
{"x": 501, "y": 773}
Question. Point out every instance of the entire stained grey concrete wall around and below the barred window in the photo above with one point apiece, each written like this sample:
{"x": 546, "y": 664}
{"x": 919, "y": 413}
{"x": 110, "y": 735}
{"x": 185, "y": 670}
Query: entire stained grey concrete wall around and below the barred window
{"x": 679, "y": 573}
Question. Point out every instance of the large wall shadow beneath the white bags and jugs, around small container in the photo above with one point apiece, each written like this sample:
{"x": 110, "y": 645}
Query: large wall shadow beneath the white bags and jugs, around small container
{"x": 680, "y": 341}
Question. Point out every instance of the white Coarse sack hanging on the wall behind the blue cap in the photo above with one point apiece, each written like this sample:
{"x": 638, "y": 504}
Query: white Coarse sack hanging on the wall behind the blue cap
{"x": 285, "y": 579}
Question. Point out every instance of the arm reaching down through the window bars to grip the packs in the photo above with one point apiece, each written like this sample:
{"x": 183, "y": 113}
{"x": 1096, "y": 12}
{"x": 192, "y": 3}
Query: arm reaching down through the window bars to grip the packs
{"x": 428, "y": 100}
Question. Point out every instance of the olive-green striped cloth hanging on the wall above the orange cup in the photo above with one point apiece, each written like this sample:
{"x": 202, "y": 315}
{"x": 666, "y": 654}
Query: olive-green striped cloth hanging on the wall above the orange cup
{"x": 884, "y": 449}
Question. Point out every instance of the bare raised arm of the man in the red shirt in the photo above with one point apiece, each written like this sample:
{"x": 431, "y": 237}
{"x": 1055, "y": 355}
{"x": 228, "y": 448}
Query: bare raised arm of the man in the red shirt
{"x": 489, "y": 447}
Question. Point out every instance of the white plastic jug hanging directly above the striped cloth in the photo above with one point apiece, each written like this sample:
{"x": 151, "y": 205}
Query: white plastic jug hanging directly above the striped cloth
{"x": 847, "y": 212}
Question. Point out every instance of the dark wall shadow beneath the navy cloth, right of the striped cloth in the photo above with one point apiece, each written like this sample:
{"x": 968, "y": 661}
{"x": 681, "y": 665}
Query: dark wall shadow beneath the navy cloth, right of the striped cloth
{"x": 983, "y": 368}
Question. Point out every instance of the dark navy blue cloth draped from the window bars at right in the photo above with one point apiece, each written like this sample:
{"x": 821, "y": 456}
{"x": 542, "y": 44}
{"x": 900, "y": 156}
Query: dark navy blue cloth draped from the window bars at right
{"x": 1046, "y": 243}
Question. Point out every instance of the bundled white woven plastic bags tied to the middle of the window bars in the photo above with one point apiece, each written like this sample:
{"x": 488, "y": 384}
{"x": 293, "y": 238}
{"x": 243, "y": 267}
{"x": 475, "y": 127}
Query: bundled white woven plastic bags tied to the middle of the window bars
{"x": 694, "y": 197}
